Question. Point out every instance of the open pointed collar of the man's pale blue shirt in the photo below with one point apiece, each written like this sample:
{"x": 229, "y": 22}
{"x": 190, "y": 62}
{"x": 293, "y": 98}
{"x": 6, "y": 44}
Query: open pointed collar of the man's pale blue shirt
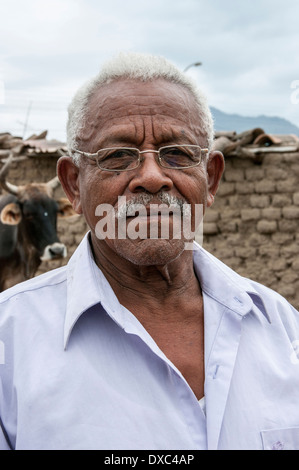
{"x": 87, "y": 286}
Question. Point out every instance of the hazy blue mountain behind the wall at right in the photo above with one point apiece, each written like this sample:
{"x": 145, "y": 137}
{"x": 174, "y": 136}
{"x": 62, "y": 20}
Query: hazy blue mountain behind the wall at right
{"x": 235, "y": 122}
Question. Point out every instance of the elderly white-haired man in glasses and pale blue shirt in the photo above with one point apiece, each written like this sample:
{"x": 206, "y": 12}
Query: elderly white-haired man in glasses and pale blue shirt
{"x": 140, "y": 342}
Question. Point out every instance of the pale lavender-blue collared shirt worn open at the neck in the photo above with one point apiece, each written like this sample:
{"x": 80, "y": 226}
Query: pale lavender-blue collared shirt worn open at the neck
{"x": 78, "y": 371}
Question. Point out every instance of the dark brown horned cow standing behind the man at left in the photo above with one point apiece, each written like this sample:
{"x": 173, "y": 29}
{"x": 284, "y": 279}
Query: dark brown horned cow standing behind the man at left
{"x": 28, "y": 235}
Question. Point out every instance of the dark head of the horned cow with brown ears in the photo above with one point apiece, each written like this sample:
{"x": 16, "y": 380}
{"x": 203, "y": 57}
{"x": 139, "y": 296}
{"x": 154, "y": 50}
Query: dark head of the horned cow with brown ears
{"x": 35, "y": 212}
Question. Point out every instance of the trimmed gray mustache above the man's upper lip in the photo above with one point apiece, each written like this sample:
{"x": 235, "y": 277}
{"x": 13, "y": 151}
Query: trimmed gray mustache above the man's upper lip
{"x": 139, "y": 201}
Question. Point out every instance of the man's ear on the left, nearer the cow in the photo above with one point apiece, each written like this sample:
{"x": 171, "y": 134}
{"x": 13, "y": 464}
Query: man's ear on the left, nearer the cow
{"x": 68, "y": 174}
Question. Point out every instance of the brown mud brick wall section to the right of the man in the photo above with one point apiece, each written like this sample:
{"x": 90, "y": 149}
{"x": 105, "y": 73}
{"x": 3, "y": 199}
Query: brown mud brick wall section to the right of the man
{"x": 253, "y": 225}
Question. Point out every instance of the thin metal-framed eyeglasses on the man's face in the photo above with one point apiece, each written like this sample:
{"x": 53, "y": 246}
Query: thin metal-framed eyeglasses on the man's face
{"x": 174, "y": 157}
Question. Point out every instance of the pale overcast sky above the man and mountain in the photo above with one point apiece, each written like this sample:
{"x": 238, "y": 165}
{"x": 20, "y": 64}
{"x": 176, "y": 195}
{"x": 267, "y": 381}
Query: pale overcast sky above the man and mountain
{"x": 249, "y": 52}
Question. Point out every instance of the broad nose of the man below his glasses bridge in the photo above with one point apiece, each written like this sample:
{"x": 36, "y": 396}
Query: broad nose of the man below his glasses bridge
{"x": 150, "y": 176}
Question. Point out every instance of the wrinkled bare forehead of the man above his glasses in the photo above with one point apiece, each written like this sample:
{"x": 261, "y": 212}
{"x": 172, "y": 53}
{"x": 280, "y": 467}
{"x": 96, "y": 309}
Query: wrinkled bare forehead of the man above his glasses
{"x": 130, "y": 101}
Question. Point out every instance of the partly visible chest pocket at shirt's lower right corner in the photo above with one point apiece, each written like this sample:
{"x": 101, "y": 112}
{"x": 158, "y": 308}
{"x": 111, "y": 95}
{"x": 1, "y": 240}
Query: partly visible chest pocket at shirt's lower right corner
{"x": 281, "y": 439}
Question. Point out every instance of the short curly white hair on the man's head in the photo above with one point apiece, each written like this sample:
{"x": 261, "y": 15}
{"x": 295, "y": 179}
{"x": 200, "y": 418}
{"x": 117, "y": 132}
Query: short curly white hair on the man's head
{"x": 143, "y": 67}
